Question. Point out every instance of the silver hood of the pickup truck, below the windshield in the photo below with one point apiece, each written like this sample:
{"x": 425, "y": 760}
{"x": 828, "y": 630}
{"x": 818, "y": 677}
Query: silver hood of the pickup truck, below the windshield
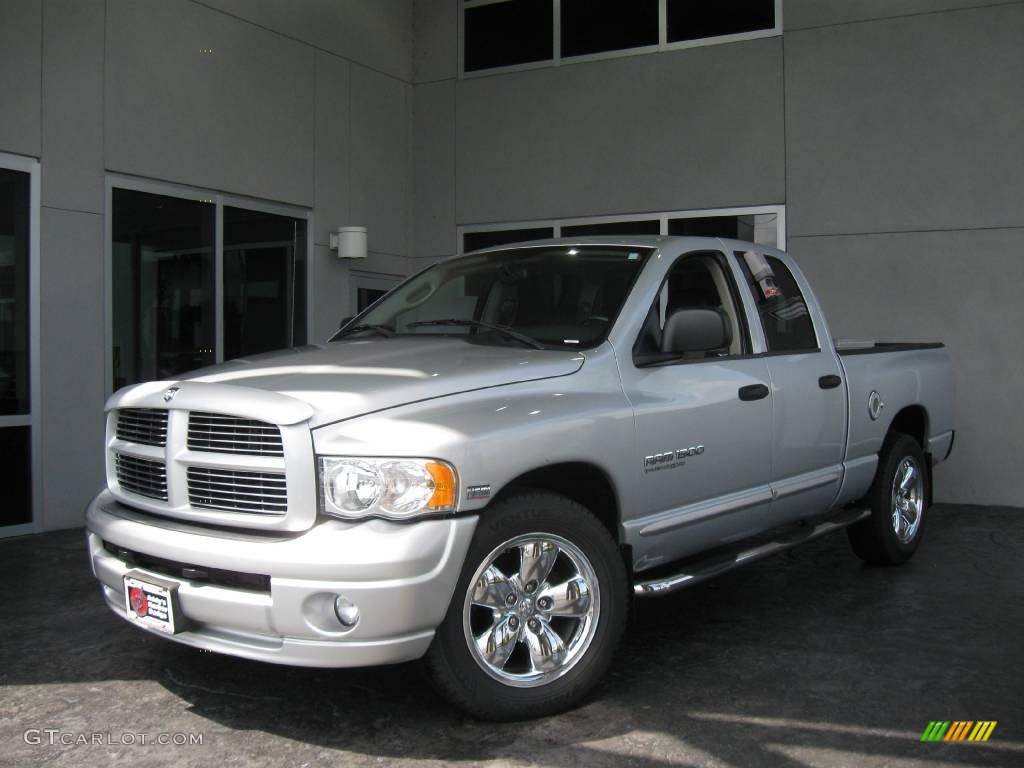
{"x": 346, "y": 379}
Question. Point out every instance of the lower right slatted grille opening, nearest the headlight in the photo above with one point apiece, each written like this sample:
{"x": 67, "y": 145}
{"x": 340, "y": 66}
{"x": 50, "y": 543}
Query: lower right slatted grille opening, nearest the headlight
{"x": 234, "y": 491}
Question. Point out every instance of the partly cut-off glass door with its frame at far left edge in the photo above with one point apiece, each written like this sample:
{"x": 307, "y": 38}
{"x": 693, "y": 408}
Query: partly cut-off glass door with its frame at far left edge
{"x": 18, "y": 243}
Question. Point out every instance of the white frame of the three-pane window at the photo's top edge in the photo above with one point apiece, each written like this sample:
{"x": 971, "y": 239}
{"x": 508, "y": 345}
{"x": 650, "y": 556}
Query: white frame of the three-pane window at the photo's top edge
{"x": 559, "y": 61}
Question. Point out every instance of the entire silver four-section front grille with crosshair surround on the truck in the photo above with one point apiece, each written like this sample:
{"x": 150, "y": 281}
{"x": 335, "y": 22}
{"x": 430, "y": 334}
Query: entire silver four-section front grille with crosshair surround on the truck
{"x": 254, "y": 470}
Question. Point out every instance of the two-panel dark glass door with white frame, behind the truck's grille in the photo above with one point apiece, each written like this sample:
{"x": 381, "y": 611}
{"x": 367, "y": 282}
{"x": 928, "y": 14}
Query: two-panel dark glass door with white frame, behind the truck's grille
{"x": 197, "y": 278}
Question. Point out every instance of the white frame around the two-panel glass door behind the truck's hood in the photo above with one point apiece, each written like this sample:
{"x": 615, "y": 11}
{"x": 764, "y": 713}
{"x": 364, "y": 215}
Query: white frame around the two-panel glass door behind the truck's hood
{"x": 220, "y": 200}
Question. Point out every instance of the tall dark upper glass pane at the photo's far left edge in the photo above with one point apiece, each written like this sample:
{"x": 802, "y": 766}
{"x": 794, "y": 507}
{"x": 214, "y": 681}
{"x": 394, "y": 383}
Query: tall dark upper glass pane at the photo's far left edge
{"x": 14, "y": 292}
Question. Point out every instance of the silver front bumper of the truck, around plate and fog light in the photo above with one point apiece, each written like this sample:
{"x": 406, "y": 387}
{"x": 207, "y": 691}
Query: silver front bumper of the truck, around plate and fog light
{"x": 401, "y": 576}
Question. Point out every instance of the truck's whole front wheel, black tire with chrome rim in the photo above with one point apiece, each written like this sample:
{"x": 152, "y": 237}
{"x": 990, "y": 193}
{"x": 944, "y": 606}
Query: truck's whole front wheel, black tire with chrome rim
{"x": 538, "y": 612}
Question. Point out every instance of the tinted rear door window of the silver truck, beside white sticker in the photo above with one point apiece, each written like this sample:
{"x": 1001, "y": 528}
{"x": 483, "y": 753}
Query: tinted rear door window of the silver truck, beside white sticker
{"x": 785, "y": 317}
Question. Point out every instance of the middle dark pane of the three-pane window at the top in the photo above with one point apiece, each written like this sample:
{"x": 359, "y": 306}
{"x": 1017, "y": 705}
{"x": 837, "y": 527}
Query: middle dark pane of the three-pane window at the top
{"x": 595, "y": 26}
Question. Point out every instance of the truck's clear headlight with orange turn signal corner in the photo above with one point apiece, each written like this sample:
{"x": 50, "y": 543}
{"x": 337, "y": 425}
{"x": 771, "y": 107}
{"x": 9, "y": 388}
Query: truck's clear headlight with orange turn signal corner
{"x": 397, "y": 489}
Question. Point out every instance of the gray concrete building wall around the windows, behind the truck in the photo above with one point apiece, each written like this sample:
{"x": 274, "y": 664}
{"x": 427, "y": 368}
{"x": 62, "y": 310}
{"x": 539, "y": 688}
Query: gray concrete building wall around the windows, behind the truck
{"x": 890, "y": 130}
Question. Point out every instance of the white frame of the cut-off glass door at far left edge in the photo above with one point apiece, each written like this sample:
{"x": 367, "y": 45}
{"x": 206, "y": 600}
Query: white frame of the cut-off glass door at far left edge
{"x": 32, "y": 419}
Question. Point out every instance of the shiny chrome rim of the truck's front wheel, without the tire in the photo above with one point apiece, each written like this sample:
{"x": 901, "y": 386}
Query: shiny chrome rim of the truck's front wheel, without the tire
{"x": 532, "y": 610}
